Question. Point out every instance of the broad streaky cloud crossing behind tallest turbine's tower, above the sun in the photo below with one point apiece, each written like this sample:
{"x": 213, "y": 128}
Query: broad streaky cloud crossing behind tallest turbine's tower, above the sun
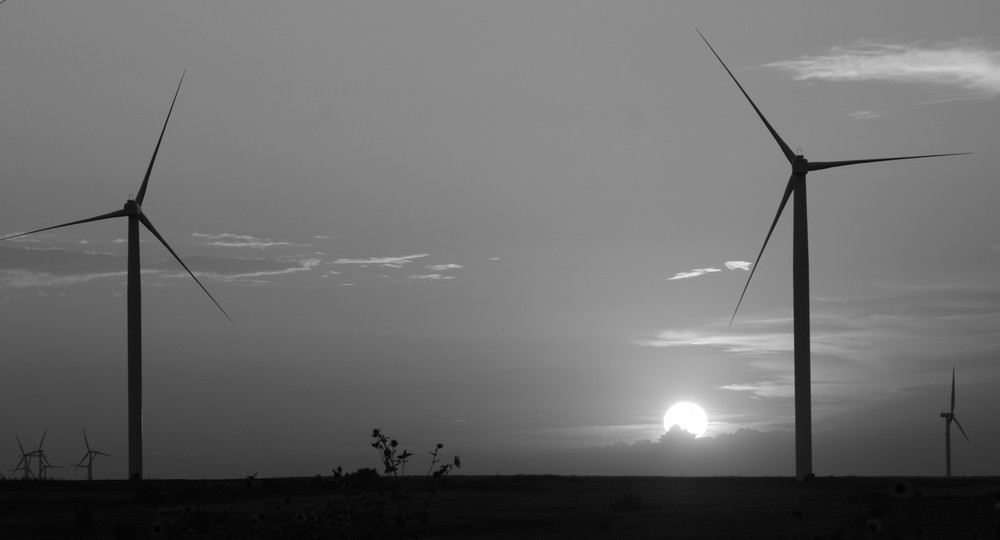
{"x": 859, "y": 345}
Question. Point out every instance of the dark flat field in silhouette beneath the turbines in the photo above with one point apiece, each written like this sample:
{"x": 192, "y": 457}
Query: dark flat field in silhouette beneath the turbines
{"x": 503, "y": 507}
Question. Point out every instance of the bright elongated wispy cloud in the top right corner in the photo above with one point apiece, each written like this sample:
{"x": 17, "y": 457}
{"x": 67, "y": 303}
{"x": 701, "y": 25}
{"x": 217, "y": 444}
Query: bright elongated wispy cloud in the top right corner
{"x": 963, "y": 64}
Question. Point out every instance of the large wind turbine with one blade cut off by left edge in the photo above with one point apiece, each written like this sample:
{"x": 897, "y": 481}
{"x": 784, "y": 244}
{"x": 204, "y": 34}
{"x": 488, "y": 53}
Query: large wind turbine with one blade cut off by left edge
{"x": 133, "y": 211}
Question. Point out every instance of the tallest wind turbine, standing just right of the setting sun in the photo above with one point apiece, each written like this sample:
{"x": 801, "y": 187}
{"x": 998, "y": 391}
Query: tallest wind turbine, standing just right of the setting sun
{"x": 800, "y": 275}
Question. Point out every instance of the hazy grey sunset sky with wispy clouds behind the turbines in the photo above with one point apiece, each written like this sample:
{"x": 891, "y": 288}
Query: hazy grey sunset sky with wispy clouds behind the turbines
{"x": 518, "y": 229}
